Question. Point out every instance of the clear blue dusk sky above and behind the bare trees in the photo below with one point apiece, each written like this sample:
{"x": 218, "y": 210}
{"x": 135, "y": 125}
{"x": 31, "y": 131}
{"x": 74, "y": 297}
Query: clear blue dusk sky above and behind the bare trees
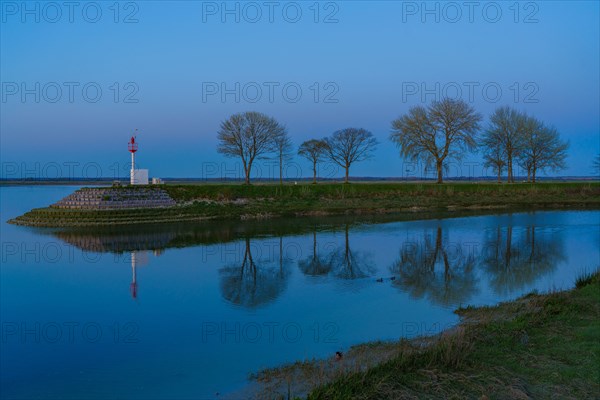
{"x": 357, "y": 64}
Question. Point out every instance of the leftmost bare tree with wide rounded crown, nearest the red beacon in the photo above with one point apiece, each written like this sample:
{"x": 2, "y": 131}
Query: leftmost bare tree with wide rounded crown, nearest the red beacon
{"x": 248, "y": 135}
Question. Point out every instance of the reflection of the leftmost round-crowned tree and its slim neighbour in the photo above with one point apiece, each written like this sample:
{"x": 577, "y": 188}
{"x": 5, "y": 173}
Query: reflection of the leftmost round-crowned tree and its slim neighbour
{"x": 254, "y": 283}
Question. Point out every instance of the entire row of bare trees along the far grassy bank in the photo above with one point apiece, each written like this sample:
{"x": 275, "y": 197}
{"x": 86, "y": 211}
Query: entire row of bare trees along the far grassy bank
{"x": 446, "y": 129}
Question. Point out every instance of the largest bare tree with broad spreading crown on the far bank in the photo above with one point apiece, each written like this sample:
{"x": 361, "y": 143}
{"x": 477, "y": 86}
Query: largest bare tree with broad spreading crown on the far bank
{"x": 445, "y": 129}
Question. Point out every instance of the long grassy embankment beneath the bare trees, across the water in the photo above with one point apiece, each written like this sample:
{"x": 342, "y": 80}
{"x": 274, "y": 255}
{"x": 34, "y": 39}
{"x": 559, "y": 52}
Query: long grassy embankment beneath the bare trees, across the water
{"x": 234, "y": 201}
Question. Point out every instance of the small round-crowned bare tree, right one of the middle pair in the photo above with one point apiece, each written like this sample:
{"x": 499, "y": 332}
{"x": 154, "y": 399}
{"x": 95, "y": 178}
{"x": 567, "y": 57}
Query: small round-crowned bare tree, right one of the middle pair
{"x": 350, "y": 145}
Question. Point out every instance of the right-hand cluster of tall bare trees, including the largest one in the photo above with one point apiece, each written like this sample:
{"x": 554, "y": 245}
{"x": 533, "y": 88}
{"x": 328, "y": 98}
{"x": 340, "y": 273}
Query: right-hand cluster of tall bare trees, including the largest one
{"x": 448, "y": 129}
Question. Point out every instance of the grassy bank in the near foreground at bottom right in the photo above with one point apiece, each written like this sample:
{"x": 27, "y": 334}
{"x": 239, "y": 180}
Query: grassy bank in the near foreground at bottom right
{"x": 539, "y": 346}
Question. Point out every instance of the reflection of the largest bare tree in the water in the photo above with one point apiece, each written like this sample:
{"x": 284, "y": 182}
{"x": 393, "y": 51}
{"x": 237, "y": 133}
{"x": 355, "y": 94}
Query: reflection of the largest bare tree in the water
{"x": 432, "y": 267}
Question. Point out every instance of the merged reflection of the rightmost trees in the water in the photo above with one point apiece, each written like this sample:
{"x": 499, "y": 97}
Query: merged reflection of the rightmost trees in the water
{"x": 515, "y": 260}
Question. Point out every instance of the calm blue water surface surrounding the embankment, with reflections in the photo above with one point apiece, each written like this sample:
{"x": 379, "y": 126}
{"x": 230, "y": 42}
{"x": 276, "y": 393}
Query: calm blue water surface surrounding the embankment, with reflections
{"x": 187, "y": 311}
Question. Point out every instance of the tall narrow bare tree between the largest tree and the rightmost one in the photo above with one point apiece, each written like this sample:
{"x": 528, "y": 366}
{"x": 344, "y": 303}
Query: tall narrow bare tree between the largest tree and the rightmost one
{"x": 507, "y": 125}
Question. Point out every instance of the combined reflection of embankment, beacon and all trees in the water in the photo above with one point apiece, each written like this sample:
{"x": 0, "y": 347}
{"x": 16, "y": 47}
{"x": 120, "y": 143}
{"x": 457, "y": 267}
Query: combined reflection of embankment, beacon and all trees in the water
{"x": 436, "y": 261}
